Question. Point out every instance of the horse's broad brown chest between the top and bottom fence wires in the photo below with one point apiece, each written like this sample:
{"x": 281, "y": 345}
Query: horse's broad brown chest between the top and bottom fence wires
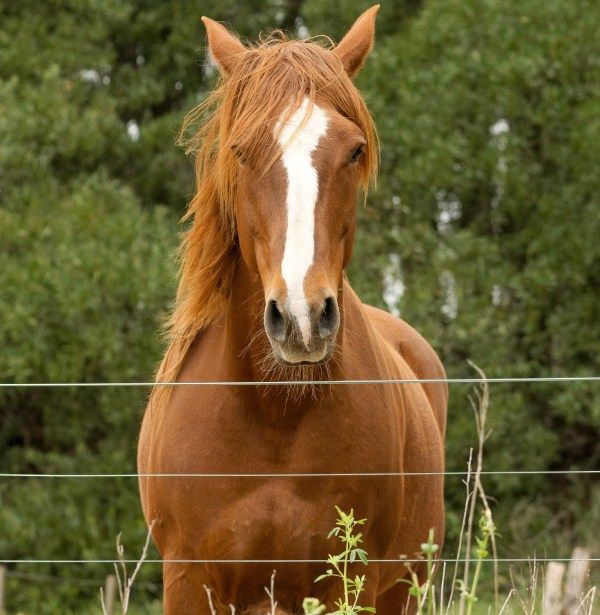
{"x": 245, "y": 492}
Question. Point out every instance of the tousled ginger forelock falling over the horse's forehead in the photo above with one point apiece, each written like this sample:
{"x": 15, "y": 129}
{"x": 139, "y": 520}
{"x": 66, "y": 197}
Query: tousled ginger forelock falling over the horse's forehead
{"x": 269, "y": 83}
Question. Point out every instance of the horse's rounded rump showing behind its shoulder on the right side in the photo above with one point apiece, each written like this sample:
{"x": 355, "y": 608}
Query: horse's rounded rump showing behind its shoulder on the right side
{"x": 418, "y": 354}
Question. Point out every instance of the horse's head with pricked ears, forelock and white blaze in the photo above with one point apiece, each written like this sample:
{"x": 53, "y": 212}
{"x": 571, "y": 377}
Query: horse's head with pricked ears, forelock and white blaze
{"x": 297, "y": 143}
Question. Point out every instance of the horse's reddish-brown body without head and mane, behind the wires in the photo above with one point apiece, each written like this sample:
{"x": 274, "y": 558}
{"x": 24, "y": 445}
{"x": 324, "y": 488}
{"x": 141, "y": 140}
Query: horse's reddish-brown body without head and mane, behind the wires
{"x": 258, "y": 430}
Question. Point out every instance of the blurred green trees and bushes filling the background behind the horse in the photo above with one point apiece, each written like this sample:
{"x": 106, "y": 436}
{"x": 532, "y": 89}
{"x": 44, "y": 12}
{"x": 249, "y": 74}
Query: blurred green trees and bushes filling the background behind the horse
{"x": 483, "y": 233}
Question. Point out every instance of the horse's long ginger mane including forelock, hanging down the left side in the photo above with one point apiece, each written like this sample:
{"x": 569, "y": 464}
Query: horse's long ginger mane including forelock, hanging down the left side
{"x": 237, "y": 120}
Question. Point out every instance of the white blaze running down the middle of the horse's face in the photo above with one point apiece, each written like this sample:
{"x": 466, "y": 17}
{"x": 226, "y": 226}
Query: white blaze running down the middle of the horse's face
{"x": 302, "y": 192}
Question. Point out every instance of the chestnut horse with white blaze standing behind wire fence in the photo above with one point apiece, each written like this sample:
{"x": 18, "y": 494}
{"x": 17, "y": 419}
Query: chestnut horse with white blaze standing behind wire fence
{"x": 237, "y": 482}
